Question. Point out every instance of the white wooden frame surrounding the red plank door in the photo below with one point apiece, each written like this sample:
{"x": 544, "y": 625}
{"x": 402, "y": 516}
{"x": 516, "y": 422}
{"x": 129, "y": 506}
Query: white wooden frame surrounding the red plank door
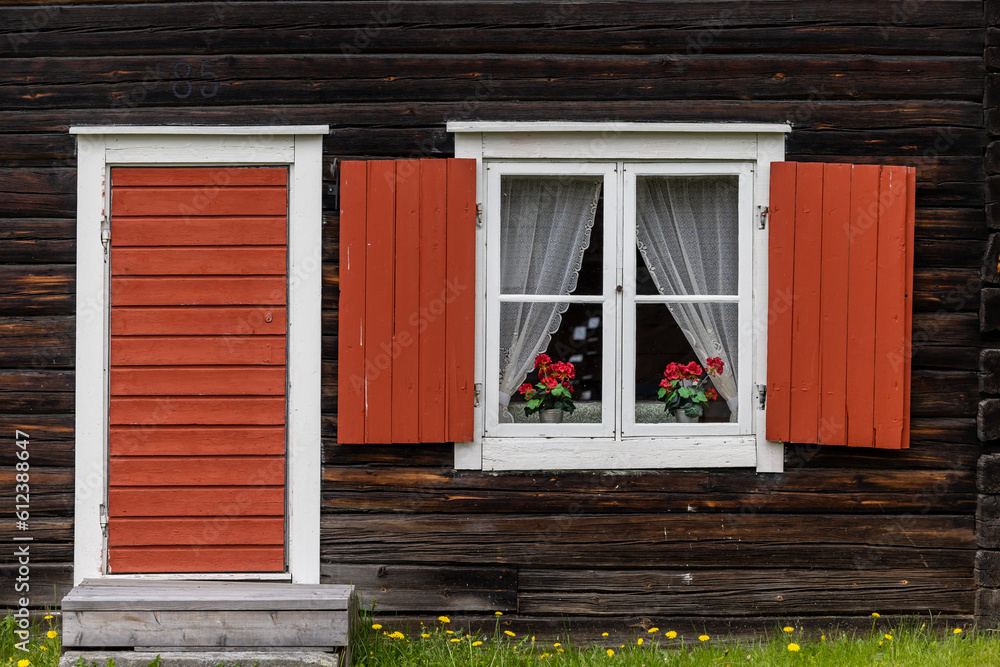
{"x": 300, "y": 149}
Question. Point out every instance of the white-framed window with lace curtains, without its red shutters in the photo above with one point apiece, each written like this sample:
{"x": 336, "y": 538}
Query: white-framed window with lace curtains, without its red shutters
{"x": 619, "y": 248}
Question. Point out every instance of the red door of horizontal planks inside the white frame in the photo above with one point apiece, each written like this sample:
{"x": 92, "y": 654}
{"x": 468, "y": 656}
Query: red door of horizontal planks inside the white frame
{"x": 197, "y": 370}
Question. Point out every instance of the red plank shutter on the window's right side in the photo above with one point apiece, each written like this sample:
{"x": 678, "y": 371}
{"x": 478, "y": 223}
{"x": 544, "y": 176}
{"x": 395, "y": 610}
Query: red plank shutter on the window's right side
{"x": 840, "y": 280}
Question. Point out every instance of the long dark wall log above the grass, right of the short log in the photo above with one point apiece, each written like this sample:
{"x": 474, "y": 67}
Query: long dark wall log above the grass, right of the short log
{"x": 788, "y": 593}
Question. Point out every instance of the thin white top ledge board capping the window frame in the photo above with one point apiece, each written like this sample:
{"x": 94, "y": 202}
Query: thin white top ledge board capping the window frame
{"x": 559, "y": 126}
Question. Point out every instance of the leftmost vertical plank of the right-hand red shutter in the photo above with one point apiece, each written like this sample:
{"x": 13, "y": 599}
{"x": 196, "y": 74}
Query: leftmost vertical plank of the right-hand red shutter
{"x": 781, "y": 264}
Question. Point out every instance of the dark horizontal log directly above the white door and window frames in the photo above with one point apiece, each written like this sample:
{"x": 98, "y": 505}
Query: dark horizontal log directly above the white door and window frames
{"x": 816, "y": 113}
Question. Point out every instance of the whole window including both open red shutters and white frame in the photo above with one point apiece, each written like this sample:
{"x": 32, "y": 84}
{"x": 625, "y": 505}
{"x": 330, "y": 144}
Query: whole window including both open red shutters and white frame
{"x": 622, "y": 248}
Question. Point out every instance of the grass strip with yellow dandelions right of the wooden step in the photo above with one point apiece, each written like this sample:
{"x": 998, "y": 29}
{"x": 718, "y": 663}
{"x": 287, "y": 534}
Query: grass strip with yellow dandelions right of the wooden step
{"x": 915, "y": 642}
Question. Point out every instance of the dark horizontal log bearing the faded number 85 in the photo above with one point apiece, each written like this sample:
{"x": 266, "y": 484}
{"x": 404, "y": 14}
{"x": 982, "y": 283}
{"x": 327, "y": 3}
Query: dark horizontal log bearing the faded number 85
{"x": 582, "y": 77}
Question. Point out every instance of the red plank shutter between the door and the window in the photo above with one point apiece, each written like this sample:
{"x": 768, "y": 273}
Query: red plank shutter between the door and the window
{"x": 407, "y": 301}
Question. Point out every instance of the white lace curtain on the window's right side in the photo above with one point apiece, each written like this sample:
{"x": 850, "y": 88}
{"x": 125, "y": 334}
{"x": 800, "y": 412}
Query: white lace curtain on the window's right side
{"x": 687, "y": 234}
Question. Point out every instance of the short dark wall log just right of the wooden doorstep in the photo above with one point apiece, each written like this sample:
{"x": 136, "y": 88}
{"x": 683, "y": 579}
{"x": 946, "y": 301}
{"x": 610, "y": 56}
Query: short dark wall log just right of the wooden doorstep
{"x": 408, "y": 588}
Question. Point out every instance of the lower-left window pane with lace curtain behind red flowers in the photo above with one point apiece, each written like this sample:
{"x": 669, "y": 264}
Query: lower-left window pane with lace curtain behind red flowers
{"x": 577, "y": 339}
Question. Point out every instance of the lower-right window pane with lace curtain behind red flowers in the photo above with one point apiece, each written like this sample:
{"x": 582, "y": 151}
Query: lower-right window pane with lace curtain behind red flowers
{"x": 675, "y": 333}
